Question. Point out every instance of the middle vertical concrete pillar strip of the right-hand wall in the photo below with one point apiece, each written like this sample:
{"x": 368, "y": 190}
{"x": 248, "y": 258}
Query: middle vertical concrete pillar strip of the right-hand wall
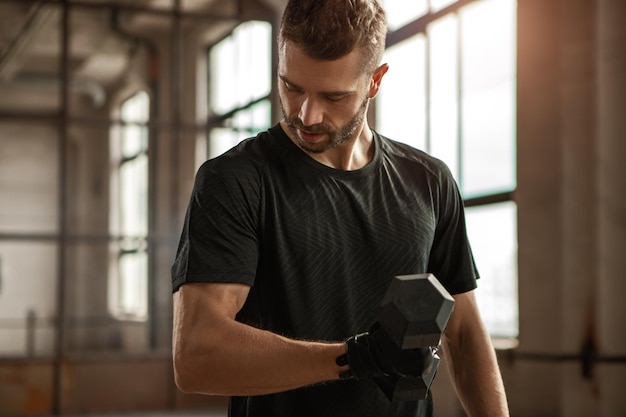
{"x": 578, "y": 389}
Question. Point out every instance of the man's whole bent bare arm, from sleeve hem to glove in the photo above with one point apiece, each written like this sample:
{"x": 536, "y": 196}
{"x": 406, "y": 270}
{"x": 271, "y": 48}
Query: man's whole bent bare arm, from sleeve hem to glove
{"x": 214, "y": 354}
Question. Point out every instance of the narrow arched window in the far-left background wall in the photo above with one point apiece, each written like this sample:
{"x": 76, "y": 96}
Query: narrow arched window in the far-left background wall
{"x": 128, "y": 283}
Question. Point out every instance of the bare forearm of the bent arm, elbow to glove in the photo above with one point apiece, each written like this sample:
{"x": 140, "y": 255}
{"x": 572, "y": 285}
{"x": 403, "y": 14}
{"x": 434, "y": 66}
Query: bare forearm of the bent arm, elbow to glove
{"x": 250, "y": 361}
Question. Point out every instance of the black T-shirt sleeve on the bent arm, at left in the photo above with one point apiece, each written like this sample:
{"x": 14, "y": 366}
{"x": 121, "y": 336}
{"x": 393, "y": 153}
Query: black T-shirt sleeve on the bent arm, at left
{"x": 219, "y": 241}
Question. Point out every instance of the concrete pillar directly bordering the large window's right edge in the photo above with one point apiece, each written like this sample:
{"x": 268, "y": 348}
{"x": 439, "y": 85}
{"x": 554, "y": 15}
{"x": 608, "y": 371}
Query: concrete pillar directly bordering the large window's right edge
{"x": 539, "y": 176}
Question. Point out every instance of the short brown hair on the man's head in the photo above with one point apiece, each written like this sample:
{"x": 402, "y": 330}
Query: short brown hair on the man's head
{"x": 331, "y": 29}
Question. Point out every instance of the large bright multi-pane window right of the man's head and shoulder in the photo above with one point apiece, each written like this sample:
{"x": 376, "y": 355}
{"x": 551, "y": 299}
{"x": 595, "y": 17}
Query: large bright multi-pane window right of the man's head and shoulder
{"x": 450, "y": 91}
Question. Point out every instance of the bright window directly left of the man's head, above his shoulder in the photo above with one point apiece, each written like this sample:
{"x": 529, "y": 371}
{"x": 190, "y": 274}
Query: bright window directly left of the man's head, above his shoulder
{"x": 240, "y": 85}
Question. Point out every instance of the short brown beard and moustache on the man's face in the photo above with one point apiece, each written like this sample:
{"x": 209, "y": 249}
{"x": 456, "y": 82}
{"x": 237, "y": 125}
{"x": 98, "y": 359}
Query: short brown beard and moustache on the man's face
{"x": 335, "y": 137}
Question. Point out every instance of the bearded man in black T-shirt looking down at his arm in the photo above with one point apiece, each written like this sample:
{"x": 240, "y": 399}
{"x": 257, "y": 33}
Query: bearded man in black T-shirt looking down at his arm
{"x": 291, "y": 239}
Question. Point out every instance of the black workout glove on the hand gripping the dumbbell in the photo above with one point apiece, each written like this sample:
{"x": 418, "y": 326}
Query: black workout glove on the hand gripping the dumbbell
{"x": 374, "y": 354}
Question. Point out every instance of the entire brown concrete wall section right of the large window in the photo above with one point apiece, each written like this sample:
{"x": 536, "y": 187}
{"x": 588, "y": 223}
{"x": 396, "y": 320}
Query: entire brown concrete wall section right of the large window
{"x": 572, "y": 208}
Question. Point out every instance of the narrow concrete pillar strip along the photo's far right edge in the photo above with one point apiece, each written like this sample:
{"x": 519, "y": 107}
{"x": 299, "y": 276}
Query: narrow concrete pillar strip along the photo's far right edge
{"x": 611, "y": 113}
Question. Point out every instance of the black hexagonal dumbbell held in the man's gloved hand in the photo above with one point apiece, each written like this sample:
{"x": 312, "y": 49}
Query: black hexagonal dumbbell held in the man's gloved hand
{"x": 414, "y": 313}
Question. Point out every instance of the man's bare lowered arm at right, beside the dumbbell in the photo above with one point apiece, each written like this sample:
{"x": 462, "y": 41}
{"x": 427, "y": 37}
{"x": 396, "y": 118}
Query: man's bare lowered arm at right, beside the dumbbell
{"x": 472, "y": 362}
